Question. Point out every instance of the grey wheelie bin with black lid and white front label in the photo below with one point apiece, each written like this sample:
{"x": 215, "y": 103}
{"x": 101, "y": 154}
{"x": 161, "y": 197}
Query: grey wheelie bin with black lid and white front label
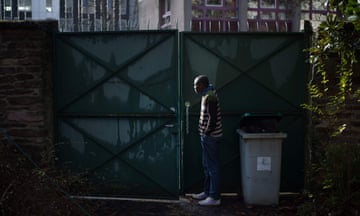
{"x": 260, "y": 158}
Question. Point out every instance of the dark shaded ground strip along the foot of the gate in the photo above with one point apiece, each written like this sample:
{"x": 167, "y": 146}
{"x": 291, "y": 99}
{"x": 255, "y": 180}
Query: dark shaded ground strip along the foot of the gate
{"x": 189, "y": 207}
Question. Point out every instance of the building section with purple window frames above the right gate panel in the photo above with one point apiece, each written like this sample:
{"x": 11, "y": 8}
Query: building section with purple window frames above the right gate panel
{"x": 256, "y": 15}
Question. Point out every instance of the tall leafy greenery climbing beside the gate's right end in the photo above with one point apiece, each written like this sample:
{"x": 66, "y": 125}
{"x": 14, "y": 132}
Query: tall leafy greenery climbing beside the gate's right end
{"x": 333, "y": 177}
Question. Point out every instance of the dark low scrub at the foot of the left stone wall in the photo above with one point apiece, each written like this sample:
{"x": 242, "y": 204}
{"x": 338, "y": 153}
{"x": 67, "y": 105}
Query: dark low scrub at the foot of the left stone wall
{"x": 28, "y": 190}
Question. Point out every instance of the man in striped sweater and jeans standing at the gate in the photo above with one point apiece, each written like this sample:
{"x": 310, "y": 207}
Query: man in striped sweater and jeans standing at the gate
{"x": 210, "y": 129}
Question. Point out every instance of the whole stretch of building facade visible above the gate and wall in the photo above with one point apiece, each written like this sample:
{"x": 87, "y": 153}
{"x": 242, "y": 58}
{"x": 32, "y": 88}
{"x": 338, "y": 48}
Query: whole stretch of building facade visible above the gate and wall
{"x": 185, "y": 15}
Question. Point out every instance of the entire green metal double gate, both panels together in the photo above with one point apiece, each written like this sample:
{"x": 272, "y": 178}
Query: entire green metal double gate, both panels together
{"x": 120, "y": 107}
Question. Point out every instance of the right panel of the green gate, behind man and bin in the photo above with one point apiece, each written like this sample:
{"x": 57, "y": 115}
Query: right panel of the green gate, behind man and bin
{"x": 253, "y": 72}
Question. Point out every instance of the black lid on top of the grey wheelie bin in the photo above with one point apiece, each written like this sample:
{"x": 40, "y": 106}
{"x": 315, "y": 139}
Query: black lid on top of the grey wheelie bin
{"x": 260, "y": 122}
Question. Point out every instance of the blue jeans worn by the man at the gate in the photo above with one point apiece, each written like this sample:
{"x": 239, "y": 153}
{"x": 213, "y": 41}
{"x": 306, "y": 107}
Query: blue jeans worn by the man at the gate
{"x": 211, "y": 165}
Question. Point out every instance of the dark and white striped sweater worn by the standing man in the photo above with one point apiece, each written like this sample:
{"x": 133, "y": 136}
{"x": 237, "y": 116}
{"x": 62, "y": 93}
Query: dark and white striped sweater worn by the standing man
{"x": 210, "y": 115}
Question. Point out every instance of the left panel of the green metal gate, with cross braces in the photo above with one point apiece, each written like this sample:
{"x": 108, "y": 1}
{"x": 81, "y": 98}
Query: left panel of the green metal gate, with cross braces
{"x": 116, "y": 105}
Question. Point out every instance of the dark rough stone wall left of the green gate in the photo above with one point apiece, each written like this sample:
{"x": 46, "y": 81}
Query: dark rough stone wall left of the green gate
{"x": 26, "y": 83}
